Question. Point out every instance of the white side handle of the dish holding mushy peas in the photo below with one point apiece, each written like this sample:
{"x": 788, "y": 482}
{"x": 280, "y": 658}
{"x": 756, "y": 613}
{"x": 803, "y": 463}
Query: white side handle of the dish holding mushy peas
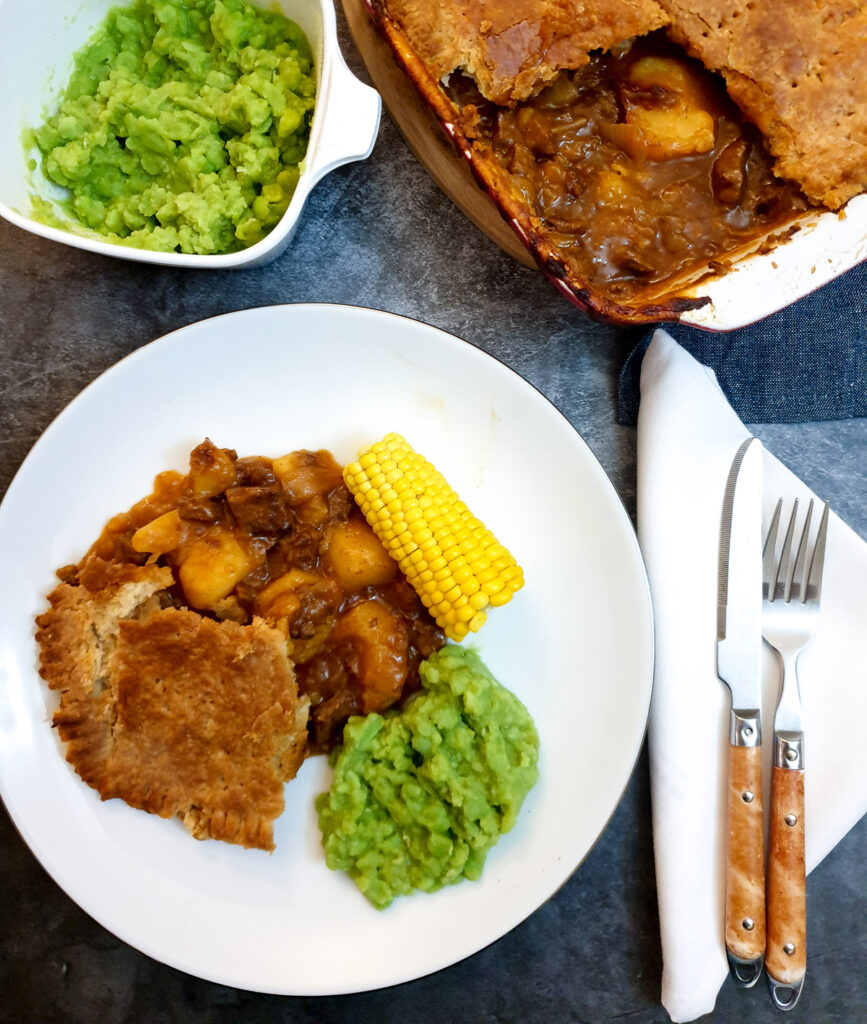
{"x": 351, "y": 130}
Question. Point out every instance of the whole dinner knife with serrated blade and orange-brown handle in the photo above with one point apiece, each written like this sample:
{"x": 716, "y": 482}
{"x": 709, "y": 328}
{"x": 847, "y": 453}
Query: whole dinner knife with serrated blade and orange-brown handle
{"x": 740, "y": 666}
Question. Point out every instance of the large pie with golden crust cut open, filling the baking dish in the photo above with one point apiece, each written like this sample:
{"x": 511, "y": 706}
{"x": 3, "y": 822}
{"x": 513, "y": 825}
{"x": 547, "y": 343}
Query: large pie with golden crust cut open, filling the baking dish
{"x": 639, "y": 149}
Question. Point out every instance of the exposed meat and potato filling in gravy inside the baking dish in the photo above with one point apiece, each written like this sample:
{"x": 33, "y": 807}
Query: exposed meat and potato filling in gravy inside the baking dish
{"x": 638, "y": 163}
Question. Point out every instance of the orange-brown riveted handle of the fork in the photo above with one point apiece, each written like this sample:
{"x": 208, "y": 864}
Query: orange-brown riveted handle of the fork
{"x": 787, "y": 961}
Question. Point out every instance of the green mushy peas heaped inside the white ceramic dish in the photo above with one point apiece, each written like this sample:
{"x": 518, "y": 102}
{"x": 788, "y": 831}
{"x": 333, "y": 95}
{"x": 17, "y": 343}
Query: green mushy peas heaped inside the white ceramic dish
{"x": 183, "y": 126}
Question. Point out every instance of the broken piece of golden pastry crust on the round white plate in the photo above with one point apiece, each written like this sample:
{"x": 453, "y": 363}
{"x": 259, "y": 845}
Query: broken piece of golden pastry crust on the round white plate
{"x": 172, "y": 712}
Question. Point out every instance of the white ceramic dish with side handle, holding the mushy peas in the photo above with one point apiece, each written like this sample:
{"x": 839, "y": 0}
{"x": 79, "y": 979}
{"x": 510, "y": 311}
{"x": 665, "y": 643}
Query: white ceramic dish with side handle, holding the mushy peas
{"x": 38, "y": 39}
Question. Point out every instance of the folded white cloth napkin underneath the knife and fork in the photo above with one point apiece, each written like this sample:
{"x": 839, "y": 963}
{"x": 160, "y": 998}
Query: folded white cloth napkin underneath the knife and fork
{"x": 687, "y": 437}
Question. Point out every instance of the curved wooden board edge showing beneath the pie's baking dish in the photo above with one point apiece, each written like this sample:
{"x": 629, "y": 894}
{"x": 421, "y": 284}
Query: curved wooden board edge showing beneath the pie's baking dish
{"x": 424, "y": 136}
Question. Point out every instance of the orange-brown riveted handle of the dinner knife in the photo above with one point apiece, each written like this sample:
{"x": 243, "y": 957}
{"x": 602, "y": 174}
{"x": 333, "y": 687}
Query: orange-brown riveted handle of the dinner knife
{"x": 746, "y": 861}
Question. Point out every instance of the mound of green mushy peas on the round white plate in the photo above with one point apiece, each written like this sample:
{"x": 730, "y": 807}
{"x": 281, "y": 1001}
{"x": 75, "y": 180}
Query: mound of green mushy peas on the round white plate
{"x": 420, "y": 796}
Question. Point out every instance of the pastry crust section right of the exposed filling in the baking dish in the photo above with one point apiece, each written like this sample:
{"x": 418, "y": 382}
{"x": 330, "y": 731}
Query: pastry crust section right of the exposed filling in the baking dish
{"x": 799, "y": 72}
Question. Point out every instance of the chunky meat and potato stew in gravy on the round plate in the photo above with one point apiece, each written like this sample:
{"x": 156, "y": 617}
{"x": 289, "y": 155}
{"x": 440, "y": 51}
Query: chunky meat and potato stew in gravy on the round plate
{"x": 284, "y": 540}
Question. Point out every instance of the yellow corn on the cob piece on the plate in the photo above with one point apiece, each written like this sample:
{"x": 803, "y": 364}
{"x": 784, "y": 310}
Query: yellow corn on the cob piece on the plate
{"x": 452, "y": 560}
